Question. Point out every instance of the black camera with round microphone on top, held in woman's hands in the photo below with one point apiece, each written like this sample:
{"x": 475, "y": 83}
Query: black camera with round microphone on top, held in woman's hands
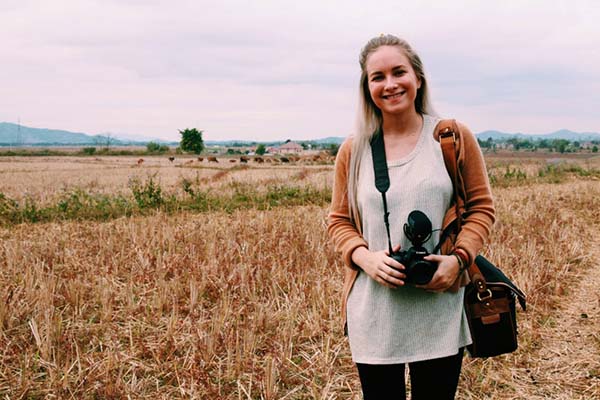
{"x": 418, "y": 230}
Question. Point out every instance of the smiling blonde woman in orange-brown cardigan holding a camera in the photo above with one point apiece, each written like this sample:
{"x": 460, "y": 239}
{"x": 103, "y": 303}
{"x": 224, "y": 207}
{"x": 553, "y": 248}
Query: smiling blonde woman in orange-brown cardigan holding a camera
{"x": 389, "y": 322}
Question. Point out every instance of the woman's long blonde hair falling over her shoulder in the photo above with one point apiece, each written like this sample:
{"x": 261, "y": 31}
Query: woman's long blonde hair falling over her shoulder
{"x": 369, "y": 119}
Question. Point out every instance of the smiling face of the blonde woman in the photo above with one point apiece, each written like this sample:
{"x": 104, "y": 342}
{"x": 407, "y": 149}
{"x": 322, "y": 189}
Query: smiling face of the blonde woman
{"x": 391, "y": 79}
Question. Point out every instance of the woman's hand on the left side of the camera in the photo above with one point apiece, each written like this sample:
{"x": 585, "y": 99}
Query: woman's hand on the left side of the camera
{"x": 380, "y": 266}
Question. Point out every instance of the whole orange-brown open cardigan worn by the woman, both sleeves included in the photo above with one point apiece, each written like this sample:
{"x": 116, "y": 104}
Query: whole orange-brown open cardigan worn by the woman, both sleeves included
{"x": 478, "y": 216}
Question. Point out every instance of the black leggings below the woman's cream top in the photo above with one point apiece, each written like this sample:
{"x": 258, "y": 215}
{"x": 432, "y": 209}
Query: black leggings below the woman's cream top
{"x": 431, "y": 379}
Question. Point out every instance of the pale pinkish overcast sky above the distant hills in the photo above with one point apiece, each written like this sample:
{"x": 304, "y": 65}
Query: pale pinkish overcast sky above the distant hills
{"x": 276, "y": 70}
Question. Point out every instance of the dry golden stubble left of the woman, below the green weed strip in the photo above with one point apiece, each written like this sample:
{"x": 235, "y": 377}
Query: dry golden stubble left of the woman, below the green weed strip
{"x": 173, "y": 306}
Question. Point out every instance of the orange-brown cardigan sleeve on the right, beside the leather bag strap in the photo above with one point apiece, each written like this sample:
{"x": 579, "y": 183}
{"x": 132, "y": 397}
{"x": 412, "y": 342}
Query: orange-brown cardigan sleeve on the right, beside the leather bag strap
{"x": 479, "y": 213}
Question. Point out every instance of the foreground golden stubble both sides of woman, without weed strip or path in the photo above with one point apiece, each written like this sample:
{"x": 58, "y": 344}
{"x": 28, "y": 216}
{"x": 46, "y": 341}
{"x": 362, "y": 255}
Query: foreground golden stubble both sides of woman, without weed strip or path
{"x": 246, "y": 304}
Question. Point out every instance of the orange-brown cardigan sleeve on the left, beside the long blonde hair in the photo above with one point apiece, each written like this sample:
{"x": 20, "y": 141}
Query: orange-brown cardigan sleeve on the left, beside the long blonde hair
{"x": 341, "y": 229}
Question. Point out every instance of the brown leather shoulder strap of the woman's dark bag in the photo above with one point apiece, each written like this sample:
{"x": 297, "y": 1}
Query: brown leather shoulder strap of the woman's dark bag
{"x": 449, "y": 137}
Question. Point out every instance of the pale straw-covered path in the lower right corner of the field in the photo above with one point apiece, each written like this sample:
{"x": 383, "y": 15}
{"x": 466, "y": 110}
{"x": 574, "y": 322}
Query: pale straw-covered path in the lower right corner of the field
{"x": 567, "y": 364}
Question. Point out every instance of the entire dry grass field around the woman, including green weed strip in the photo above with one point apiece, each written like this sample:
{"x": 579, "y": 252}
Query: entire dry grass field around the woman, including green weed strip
{"x": 239, "y": 298}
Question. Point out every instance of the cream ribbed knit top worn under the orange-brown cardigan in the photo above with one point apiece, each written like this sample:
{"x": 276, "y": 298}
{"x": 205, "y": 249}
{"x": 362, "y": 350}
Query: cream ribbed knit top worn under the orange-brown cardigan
{"x": 390, "y": 326}
